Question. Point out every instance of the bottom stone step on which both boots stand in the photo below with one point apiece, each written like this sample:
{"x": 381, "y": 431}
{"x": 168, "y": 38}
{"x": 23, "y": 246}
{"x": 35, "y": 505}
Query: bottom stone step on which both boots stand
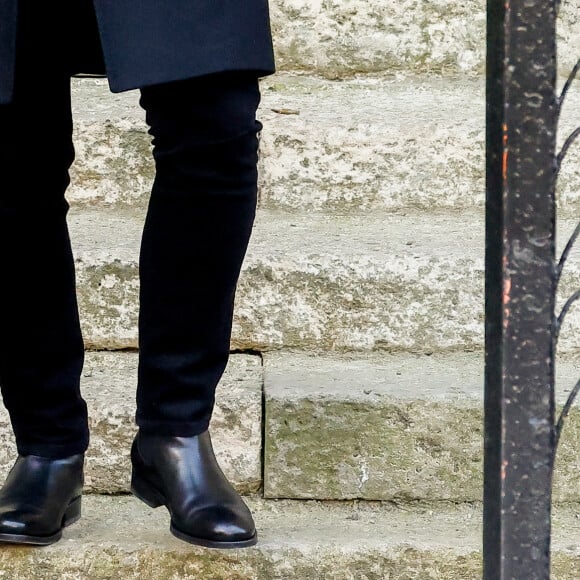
{"x": 120, "y": 537}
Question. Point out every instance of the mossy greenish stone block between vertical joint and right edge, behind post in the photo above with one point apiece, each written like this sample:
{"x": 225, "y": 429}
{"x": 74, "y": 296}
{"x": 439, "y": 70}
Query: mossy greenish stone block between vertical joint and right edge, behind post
{"x": 387, "y": 428}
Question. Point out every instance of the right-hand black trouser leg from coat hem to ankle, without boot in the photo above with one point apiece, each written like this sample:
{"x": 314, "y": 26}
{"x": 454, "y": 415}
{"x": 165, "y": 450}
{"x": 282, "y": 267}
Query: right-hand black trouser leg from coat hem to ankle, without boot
{"x": 197, "y": 230}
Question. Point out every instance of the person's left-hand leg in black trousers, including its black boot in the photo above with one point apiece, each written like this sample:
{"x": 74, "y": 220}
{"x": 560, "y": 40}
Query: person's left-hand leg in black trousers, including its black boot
{"x": 41, "y": 348}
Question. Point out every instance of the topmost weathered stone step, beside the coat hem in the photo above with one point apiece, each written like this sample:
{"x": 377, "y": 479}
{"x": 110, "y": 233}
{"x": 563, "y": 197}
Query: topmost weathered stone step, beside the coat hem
{"x": 338, "y": 38}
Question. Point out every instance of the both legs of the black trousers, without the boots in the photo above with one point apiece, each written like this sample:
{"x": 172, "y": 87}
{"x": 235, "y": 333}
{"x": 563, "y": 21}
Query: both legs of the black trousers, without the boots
{"x": 196, "y": 233}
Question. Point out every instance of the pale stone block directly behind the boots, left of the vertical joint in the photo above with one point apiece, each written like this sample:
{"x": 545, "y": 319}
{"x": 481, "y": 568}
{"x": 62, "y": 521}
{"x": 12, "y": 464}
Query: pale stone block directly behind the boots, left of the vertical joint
{"x": 108, "y": 384}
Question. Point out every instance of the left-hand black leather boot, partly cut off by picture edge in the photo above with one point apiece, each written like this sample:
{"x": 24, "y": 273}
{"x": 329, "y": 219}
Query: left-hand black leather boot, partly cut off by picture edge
{"x": 40, "y": 497}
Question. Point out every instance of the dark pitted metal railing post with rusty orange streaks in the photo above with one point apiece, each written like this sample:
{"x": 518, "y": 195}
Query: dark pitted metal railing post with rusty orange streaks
{"x": 520, "y": 288}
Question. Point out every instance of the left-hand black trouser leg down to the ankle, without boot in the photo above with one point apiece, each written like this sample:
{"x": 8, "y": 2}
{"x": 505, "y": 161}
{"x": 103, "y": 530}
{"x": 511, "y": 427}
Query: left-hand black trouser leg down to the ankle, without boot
{"x": 41, "y": 348}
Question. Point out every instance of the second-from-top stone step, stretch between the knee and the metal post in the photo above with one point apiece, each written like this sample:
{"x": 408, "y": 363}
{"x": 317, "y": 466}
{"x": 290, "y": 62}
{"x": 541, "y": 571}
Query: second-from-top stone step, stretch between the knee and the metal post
{"x": 371, "y": 144}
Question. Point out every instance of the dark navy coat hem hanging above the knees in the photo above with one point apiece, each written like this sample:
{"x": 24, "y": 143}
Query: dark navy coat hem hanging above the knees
{"x": 147, "y": 42}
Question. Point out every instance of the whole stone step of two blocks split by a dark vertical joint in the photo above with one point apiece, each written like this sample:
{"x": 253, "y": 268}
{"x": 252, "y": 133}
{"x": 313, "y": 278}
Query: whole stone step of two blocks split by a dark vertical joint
{"x": 370, "y": 427}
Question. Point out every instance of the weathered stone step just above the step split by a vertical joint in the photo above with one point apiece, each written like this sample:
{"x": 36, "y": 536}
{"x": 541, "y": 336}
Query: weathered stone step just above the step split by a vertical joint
{"x": 402, "y": 282}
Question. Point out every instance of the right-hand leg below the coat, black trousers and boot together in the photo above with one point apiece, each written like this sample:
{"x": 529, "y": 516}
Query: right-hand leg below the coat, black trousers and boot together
{"x": 197, "y": 230}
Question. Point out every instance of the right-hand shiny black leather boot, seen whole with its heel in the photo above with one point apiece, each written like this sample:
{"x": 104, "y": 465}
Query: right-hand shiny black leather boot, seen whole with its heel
{"x": 182, "y": 474}
